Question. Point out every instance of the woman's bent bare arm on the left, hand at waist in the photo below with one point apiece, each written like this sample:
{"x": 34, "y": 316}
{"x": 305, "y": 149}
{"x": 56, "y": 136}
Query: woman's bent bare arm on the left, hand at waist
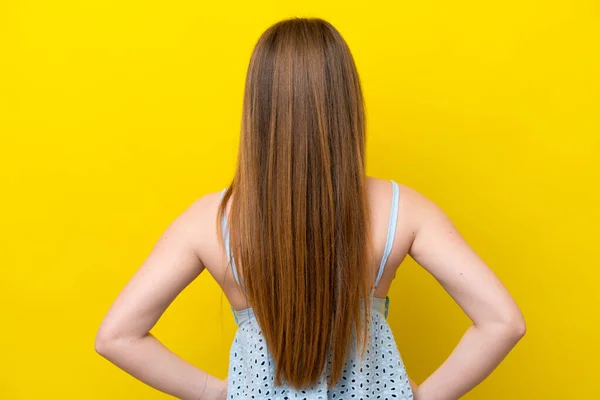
{"x": 124, "y": 338}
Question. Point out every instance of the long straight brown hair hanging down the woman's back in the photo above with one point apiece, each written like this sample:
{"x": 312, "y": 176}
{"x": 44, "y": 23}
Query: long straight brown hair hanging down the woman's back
{"x": 298, "y": 220}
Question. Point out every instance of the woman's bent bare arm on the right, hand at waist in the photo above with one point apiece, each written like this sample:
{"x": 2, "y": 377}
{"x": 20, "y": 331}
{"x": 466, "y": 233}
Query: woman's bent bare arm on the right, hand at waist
{"x": 497, "y": 321}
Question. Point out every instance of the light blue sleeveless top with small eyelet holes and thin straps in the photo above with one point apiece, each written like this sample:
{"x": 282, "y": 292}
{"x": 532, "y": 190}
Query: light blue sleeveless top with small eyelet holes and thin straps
{"x": 380, "y": 375}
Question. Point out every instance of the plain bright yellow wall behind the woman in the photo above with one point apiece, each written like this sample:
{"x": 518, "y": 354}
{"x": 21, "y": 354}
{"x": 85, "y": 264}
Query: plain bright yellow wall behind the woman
{"x": 116, "y": 115}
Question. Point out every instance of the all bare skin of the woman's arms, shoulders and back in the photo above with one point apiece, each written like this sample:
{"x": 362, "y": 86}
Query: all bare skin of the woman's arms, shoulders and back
{"x": 190, "y": 245}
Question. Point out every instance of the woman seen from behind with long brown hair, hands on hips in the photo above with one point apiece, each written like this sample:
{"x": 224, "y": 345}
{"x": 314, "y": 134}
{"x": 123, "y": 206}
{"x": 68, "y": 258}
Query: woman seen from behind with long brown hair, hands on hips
{"x": 305, "y": 247}
